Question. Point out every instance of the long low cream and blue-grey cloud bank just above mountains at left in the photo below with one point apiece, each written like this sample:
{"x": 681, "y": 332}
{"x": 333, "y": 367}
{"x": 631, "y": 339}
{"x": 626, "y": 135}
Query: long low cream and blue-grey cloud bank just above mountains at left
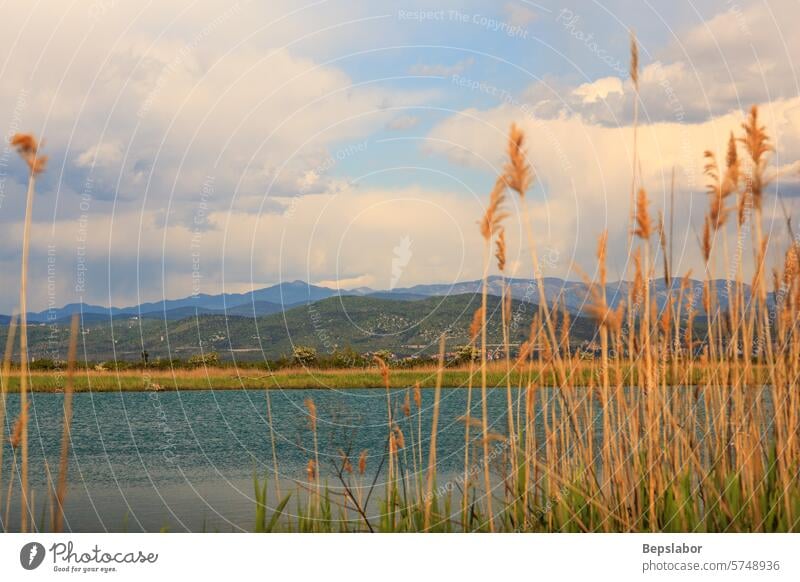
{"x": 129, "y": 258}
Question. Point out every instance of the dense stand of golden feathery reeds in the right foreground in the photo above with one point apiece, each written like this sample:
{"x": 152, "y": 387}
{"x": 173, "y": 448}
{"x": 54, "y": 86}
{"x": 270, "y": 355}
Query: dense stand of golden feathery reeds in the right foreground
{"x": 636, "y": 440}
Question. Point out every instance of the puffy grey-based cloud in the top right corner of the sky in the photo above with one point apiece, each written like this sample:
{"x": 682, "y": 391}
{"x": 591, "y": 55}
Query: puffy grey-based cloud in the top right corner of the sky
{"x": 740, "y": 56}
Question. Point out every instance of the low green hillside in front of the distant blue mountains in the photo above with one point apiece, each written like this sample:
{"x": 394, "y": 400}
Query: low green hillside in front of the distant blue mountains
{"x": 364, "y": 324}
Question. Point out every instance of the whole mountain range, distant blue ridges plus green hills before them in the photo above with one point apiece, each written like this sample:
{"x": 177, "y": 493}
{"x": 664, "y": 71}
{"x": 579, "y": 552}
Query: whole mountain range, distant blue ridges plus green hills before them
{"x": 270, "y": 322}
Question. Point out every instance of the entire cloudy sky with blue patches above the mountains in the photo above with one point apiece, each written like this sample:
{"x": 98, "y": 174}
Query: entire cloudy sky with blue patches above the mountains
{"x": 208, "y": 147}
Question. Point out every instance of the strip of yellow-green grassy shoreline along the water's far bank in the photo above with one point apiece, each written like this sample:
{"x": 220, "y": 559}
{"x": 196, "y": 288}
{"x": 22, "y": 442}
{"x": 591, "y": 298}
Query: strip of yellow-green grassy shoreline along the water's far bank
{"x": 228, "y": 378}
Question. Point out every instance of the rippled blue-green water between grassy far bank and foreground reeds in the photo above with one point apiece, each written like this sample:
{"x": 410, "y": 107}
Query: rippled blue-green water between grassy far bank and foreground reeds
{"x": 185, "y": 460}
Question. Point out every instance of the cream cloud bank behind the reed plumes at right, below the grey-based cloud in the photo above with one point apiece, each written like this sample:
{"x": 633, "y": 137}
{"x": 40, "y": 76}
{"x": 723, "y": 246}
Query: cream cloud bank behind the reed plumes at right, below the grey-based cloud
{"x": 583, "y": 172}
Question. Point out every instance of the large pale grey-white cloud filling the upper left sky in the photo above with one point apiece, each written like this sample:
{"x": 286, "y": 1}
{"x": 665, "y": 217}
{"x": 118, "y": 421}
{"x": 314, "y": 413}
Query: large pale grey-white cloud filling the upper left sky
{"x": 151, "y": 110}
